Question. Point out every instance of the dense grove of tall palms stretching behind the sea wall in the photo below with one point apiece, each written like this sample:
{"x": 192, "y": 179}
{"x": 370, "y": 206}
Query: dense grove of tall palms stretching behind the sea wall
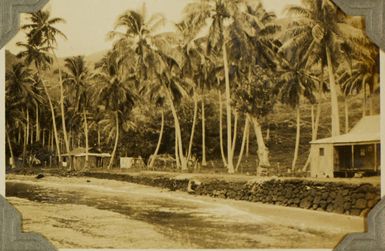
{"x": 201, "y": 92}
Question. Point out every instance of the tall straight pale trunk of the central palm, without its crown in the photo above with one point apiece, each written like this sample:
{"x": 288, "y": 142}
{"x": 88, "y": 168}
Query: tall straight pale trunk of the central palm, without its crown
{"x": 230, "y": 164}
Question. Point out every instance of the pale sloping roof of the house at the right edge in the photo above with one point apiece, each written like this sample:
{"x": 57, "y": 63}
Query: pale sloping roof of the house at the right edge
{"x": 366, "y": 130}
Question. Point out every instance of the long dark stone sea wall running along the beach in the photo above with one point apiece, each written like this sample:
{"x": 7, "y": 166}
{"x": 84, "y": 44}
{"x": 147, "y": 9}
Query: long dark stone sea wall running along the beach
{"x": 336, "y": 197}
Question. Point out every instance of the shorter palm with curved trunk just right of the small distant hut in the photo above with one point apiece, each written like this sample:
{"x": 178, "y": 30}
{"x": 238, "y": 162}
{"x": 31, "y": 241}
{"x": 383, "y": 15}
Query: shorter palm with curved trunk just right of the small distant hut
{"x": 114, "y": 93}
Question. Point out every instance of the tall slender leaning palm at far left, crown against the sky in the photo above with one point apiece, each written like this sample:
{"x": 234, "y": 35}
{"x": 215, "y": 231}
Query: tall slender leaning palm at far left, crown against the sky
{"x": 42, "y": 32}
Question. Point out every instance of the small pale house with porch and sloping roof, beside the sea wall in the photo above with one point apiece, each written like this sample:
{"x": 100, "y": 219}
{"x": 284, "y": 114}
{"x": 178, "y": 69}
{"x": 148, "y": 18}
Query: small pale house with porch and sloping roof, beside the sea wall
{"x": 355, "y": 152}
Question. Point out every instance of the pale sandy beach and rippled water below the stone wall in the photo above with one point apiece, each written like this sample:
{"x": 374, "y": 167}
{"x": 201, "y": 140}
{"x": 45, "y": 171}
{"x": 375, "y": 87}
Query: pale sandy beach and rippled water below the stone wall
{"x": 96, "y": 213}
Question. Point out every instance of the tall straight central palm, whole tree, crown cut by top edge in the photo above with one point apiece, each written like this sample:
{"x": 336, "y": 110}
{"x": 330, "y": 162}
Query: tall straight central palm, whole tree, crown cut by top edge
{"x": 232, "y": 24}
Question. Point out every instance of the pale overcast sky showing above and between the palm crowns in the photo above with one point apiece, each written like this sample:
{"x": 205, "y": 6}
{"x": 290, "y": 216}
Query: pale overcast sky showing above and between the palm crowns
{"x": 88, "y": 21}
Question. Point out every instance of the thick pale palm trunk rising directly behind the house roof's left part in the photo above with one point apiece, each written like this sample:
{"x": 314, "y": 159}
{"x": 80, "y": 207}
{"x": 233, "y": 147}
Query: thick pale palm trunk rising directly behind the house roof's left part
{"x": 334, "y": 96}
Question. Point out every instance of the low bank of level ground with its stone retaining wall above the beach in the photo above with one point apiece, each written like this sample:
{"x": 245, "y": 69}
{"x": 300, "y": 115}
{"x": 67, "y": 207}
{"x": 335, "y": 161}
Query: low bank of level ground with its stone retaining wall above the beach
{"x": 349, "y": 197}
